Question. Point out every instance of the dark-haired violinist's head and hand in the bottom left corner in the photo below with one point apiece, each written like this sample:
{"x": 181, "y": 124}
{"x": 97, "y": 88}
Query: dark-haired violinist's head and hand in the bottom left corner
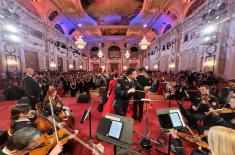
{"x": 24, "y": 140}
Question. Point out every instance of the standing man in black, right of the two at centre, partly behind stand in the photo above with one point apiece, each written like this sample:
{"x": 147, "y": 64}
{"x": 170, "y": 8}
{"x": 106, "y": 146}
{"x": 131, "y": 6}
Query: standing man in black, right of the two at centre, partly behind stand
{"x": 142, "y": 84}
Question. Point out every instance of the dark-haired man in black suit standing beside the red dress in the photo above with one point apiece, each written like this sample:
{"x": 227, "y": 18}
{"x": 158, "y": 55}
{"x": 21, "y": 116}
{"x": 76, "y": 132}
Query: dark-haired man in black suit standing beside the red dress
{"x": 124, "y": 90}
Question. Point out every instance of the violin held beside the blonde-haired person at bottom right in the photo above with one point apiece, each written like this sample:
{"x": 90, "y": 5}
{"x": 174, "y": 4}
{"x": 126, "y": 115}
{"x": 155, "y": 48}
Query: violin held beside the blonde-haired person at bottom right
{"x": 194, "y": 140}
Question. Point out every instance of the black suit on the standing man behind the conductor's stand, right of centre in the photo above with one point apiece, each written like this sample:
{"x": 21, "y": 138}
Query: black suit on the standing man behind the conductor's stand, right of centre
{"x": 140, "y": 83}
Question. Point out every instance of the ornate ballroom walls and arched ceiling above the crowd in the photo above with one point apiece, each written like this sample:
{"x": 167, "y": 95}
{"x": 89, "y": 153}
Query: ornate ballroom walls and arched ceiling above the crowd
{"x": 176, "y": 35}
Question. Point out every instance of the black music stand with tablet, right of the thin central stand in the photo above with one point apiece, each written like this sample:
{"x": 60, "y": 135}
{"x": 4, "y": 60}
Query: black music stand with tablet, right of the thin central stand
{"x": 166, "y": 124}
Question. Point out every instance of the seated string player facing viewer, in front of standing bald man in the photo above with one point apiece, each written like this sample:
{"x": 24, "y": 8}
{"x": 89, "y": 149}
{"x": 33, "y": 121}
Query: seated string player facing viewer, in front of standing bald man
{"x": 55, "y": 100}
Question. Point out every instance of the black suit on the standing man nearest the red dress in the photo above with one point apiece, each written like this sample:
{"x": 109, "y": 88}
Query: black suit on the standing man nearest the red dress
{"x": 122, "y": 99}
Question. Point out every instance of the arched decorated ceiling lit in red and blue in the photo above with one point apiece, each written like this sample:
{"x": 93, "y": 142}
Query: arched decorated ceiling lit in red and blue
{"x": 99, "y": 20}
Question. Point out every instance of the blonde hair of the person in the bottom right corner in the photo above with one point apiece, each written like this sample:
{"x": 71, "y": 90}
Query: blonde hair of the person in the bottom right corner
{"x": 221, "y": 140}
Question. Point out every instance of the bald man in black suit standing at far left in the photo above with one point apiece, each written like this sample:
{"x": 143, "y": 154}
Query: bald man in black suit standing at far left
{"x": 32, "y": 88}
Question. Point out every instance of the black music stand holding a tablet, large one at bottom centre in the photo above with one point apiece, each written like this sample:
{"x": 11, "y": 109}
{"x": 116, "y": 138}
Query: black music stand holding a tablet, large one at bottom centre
{"x": 125, "y": 139}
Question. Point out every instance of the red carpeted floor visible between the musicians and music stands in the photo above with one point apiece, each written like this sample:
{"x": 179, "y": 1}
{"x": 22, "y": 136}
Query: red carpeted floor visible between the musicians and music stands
{"x": 78, "y": 110}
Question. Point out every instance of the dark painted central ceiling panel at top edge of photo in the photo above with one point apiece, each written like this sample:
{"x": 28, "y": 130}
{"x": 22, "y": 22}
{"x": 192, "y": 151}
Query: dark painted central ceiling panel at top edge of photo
{"x": 112, "y": 12}
